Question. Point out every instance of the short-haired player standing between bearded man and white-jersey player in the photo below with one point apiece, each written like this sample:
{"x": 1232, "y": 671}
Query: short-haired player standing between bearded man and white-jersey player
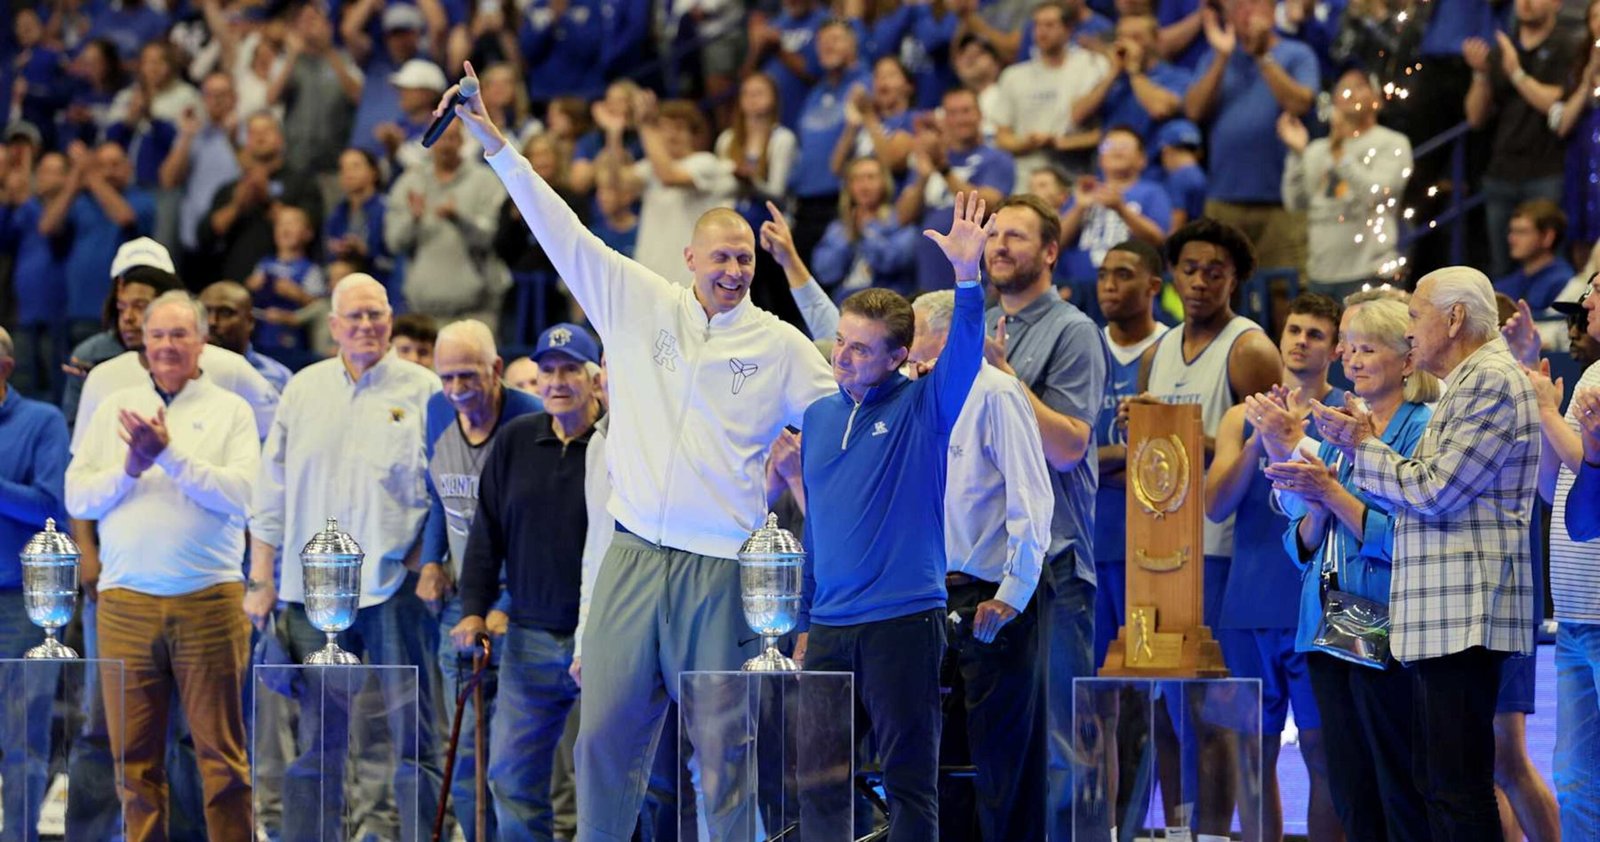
{"x": 1129, "y": 283}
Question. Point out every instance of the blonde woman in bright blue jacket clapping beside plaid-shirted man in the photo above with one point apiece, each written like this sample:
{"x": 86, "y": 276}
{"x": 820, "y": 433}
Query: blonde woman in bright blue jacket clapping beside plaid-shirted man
{"x": 1367, "y": 712}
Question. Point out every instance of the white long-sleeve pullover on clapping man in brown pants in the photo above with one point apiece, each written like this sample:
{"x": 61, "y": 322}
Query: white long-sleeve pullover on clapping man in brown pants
{"x": 180, "y": 527}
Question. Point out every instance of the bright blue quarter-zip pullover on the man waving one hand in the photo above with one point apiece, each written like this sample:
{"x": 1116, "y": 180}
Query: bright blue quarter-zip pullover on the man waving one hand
{"x": 874, "y": 486}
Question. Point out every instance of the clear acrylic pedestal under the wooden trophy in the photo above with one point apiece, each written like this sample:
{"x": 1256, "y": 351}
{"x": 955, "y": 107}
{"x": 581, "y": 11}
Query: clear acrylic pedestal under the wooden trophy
{"x": 1174, "y": 760}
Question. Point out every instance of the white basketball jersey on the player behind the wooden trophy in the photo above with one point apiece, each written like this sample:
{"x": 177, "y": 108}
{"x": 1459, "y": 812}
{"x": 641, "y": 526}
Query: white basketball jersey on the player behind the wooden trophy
{"x": 1202, "y": 382}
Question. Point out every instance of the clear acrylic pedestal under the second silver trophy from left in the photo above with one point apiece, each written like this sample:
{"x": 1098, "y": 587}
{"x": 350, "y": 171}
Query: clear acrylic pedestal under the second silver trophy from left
{"x": 327, "y": 756}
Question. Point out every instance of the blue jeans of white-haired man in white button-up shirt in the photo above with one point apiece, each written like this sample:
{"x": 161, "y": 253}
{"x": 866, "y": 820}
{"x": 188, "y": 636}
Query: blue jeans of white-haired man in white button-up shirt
{"x": 394, "y": 633}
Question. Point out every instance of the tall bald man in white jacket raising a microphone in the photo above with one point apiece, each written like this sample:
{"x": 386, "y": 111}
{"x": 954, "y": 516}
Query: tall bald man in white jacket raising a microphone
{"x": 703, "y": 382}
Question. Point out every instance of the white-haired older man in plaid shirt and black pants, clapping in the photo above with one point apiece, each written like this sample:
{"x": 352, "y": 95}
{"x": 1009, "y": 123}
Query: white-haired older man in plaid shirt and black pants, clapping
{"x": 1462, "y": 598}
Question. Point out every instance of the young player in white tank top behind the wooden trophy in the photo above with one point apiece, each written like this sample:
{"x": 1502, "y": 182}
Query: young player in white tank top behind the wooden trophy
{"x": 1214, "y": 361}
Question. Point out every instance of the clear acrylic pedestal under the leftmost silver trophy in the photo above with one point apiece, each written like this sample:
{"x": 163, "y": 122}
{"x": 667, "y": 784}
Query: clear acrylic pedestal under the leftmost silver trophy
{"x": 60, "y": 764}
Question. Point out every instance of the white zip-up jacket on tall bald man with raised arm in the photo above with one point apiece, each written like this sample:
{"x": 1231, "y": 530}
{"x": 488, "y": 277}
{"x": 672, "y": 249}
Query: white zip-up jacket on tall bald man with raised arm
{"x": 695, "y": 403}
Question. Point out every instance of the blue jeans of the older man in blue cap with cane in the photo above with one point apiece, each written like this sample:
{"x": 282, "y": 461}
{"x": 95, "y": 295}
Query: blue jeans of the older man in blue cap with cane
{"x": 530, "y": 715}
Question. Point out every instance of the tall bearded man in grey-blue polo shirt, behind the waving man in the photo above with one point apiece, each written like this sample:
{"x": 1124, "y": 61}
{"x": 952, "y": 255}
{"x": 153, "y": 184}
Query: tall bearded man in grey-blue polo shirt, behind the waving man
{"x": 1062, "y": 361}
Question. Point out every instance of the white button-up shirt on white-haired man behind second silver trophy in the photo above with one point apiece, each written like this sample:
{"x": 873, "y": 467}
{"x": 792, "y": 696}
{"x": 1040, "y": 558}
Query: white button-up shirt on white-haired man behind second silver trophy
{"x": 351, "y": 451}
